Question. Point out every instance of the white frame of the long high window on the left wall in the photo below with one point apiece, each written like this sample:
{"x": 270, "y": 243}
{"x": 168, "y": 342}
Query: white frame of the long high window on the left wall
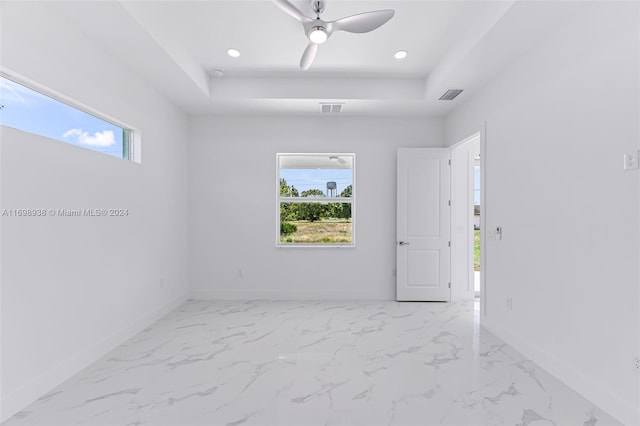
{"x": 131, "y": 146}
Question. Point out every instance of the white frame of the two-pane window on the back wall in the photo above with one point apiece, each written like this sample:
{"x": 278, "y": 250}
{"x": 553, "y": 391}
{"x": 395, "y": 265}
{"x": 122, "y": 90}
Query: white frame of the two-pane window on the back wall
{"x": 351, "y": 200}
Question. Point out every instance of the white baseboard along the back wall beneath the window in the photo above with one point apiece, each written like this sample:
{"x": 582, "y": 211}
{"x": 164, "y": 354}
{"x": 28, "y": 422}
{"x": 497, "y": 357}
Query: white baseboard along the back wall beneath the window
{"x": 287, "y": 294}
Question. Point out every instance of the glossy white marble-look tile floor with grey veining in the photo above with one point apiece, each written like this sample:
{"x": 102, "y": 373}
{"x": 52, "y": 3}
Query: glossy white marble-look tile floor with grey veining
{"x": 314, "y": 363}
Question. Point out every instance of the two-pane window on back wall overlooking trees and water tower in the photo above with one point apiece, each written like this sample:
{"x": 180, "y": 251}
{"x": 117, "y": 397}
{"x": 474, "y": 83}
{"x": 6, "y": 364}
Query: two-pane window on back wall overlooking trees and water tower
{"x": 315, "y": 200}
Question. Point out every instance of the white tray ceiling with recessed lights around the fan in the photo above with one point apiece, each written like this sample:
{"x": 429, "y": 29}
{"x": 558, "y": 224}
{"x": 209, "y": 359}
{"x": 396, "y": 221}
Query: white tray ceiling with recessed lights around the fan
{"x": 175, "y": 45}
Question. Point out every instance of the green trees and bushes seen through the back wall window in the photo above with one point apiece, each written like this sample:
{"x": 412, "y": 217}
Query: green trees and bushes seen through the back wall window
{"x": 312, "y": 211}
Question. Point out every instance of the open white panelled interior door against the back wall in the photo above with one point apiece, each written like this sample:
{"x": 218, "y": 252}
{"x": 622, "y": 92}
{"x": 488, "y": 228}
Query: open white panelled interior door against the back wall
{"x": 423, "y": 254}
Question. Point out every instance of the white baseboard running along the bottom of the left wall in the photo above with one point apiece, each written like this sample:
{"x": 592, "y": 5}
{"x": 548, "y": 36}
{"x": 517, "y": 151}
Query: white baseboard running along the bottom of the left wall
{"x": 20, "y": 398}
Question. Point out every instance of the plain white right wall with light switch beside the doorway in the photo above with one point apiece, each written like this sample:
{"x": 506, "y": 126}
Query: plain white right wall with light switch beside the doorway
{"x": 558, "y": 122}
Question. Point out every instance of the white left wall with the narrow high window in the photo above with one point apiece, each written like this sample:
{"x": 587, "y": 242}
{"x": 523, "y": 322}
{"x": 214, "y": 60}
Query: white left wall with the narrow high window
{"x": 74, "y": 287}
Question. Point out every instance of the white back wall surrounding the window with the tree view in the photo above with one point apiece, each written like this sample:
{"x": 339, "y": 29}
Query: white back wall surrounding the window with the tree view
{"x": 233, "y": 211}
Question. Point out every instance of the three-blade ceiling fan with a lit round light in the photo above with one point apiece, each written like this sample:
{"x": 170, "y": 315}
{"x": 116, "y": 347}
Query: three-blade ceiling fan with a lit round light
{"x": 318, "y": 31}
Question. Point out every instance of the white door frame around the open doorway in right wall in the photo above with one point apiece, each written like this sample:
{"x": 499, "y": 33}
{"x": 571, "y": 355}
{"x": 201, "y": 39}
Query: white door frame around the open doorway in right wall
{"x": 482, "y": 133}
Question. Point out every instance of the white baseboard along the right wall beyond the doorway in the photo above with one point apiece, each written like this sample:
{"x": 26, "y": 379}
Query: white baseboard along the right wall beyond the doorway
{"x": 595, "y": 392}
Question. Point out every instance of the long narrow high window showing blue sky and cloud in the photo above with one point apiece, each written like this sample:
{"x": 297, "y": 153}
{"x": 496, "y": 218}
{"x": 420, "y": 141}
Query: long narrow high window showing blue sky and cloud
{"x": 32, "y": 111}
